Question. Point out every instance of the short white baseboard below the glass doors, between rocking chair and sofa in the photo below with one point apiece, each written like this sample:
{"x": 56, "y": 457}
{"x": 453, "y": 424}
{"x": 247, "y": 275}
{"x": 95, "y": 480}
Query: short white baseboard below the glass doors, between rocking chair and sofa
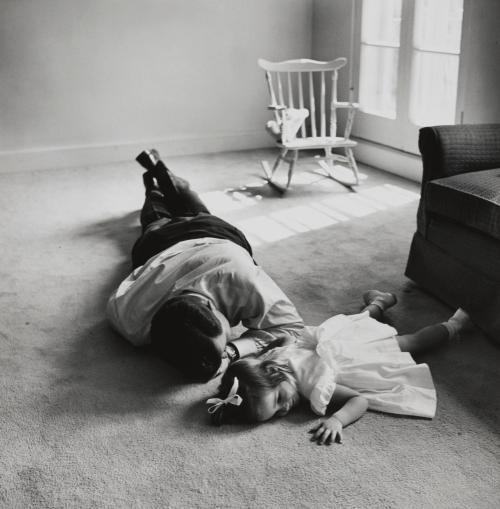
{"x": 389, "y": 159}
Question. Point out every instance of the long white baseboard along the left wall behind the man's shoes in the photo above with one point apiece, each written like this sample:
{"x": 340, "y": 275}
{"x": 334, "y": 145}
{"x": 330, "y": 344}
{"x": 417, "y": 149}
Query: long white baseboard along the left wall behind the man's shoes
{"x": 71, "y": 156}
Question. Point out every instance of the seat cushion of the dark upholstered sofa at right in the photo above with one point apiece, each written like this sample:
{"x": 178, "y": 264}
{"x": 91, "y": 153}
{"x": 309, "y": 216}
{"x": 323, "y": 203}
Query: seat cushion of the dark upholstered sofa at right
{"x": 472, "y": 199}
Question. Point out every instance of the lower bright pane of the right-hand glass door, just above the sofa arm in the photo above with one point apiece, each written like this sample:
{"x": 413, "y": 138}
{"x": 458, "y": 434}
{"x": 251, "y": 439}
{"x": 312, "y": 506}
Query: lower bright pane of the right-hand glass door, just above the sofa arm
{"x": 433, "y": 88}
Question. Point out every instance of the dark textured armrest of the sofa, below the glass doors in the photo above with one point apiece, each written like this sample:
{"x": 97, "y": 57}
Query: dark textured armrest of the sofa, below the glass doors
{"x": 454, "y": 149}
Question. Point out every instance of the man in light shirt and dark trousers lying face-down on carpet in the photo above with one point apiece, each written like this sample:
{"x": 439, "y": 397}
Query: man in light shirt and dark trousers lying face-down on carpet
{"x": 194, "y": 278}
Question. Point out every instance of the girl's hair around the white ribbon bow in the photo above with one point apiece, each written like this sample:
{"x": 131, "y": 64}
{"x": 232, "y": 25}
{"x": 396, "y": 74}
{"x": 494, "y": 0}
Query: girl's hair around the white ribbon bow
{"x": 255, "y": 377}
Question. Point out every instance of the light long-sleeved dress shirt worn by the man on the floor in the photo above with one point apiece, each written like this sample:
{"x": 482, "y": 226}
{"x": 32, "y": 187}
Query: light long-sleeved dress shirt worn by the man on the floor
{"x": 219, "y": 270}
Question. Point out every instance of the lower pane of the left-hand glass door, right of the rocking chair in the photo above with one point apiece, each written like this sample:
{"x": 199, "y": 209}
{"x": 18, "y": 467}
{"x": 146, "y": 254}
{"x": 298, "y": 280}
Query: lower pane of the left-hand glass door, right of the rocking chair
{"x": 378, "y": 80}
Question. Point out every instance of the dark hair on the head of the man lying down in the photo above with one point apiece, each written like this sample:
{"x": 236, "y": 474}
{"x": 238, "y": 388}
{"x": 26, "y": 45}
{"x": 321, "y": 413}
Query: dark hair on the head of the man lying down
{"x": 182, "y": 332}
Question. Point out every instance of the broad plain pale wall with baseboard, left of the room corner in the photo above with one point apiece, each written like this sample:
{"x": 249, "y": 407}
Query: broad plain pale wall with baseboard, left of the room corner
{"x": 95, "y": 80}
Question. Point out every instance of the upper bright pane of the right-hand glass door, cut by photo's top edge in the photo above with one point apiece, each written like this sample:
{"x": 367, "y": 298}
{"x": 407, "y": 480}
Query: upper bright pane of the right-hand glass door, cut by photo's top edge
{"x": 438, "y": 25}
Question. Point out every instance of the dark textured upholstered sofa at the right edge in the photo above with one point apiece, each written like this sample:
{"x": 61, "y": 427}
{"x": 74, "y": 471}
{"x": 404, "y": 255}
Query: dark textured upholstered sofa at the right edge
{"x": 455, "y": 252}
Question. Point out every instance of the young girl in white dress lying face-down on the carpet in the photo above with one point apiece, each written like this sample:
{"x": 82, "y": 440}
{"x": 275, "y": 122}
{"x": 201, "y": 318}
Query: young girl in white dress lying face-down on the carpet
{"x": 350, "y": 363}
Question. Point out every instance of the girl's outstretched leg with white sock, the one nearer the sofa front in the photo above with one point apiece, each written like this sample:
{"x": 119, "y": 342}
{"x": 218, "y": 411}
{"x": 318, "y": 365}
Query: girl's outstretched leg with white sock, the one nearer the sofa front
{"x": 434, "y": 336}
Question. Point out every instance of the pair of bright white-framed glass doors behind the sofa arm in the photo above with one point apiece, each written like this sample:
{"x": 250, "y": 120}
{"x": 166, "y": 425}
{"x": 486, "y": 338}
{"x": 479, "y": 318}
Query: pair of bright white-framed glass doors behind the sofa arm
{"x": 409, "y": 52}
